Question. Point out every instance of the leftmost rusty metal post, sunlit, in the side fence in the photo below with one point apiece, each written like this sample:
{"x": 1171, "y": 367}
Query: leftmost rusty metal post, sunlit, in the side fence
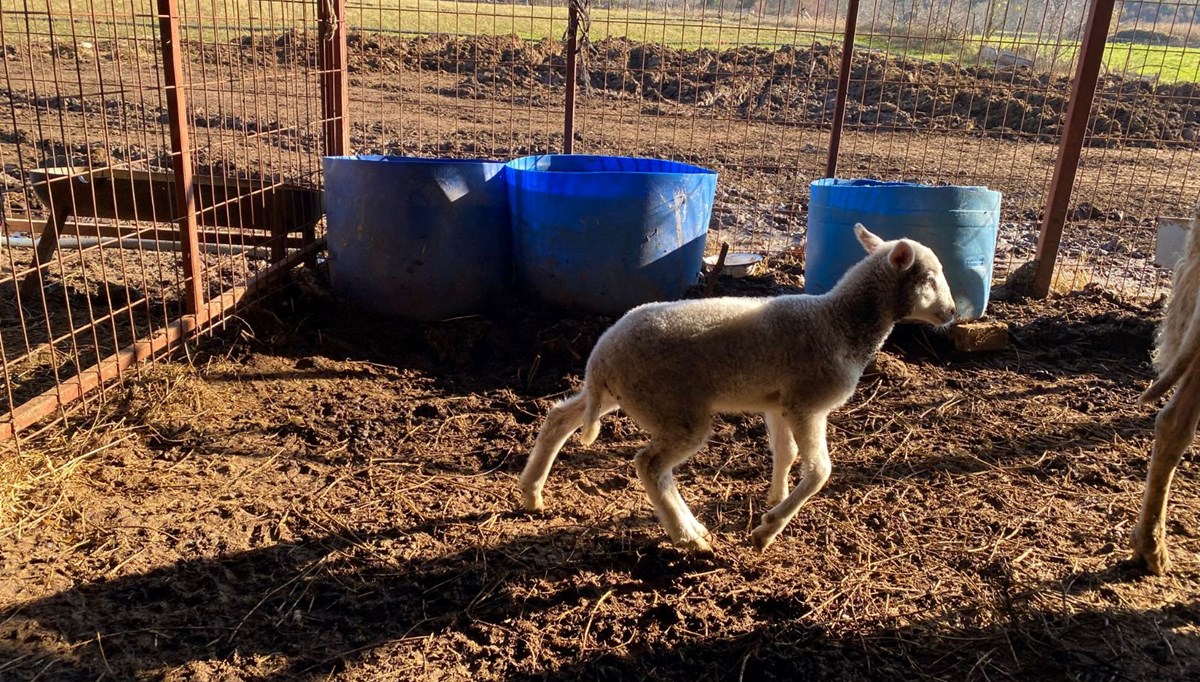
{"x": 181, "y": 154}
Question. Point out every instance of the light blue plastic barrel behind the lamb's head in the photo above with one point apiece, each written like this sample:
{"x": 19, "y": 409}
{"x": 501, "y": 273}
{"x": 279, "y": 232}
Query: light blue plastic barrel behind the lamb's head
{"x": 958, "y": 224}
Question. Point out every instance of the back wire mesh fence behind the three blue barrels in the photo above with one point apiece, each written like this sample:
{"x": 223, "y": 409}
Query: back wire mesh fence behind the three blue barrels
{"x": 945, "y": 93}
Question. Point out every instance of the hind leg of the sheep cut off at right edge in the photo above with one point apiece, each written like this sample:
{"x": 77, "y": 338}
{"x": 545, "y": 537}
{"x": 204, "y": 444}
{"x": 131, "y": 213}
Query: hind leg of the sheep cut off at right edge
{"x": 1174, "y": 430}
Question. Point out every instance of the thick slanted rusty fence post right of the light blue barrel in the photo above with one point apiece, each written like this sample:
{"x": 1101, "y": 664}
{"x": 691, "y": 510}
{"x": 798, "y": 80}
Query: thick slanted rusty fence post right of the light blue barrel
{"x": 1091, "y": 58}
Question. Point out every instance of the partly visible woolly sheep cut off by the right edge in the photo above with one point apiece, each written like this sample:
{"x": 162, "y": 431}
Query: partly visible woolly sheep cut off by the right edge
{"x": 1178, "y": 361}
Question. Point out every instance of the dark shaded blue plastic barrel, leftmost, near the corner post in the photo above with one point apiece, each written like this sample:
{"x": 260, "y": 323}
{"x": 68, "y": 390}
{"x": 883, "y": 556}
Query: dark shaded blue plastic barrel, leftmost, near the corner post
{"x": 418, "y": 238}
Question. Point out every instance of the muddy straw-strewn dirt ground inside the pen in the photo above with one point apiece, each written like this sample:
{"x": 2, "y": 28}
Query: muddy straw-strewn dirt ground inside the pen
{"x": 320, "y": 494}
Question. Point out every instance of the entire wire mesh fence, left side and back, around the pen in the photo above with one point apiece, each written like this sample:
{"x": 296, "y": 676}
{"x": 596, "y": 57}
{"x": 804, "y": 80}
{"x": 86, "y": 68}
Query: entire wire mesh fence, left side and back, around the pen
{"x": 955, "y": 92}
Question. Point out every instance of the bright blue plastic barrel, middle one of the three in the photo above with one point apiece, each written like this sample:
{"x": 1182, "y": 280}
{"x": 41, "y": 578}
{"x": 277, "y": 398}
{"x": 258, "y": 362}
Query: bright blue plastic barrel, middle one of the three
{"x": 608, "y": 234}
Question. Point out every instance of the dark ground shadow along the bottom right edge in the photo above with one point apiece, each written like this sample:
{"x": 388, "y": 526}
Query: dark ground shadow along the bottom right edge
{"x": 1035, "y": 639}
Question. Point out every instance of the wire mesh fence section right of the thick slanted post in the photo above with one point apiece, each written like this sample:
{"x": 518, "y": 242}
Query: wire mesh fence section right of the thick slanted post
{"x": 1141, "y": 158}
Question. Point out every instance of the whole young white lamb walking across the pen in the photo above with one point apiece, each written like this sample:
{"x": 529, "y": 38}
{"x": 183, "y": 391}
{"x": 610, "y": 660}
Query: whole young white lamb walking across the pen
{"x": 795, "y": 358}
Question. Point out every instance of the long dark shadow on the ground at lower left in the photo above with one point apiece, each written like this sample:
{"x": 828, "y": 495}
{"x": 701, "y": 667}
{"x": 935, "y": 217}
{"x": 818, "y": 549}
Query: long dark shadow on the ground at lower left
{"x": 313, "y": 603}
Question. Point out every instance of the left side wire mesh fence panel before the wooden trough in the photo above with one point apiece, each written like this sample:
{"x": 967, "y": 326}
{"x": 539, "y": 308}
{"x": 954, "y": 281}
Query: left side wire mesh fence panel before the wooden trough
{"x": 106, "y": 258}
